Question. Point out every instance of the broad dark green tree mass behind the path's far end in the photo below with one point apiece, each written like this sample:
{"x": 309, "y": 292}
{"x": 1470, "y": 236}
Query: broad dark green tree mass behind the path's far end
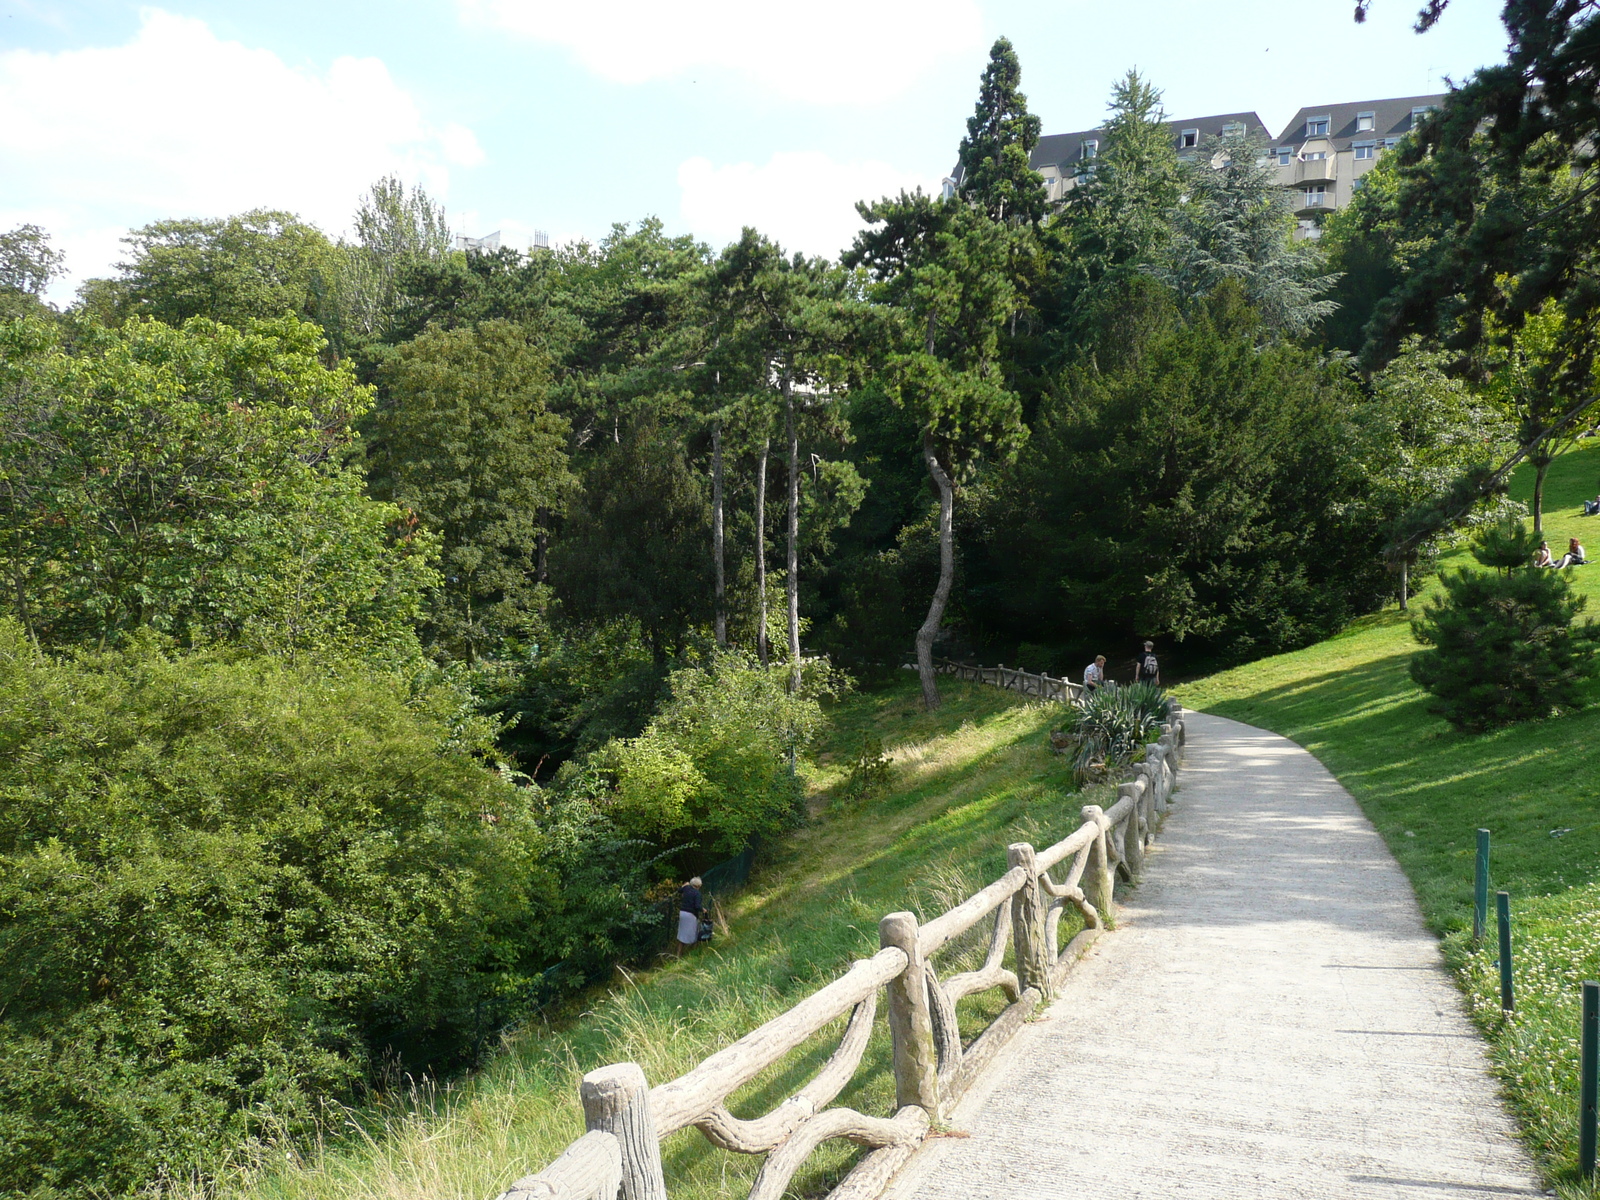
{"x": 1206, "y": 489}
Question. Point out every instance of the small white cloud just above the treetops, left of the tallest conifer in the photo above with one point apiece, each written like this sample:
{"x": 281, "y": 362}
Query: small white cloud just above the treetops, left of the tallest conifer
{"x": 804, "y": 201}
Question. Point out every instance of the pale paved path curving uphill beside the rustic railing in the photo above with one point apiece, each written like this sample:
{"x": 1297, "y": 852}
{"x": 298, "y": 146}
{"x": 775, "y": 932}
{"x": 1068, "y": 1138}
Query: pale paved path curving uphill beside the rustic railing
{"x": 1270, "y": 1020}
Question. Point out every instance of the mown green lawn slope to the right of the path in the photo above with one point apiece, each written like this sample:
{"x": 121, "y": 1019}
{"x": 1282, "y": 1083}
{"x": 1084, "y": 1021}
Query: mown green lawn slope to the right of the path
{"x": 1426, "y": 788}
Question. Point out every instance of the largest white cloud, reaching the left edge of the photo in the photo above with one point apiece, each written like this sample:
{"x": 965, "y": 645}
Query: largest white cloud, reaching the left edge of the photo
{"x": 180, "y": 122}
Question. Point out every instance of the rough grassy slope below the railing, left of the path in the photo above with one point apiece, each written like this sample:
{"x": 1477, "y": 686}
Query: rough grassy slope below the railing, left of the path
{"x": 969, "y": 780}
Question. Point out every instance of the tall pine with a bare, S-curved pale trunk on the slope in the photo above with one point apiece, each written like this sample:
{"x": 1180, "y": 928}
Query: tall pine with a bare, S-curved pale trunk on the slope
{"x": 942, "y": 279}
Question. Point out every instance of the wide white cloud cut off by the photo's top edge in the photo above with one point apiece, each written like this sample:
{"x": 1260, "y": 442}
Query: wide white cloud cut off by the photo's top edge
{"x": 826, "y": 52}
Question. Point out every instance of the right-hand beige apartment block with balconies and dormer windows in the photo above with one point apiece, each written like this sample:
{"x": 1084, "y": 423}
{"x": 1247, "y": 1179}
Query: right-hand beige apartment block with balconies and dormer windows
{"x": 1326, "y": 151}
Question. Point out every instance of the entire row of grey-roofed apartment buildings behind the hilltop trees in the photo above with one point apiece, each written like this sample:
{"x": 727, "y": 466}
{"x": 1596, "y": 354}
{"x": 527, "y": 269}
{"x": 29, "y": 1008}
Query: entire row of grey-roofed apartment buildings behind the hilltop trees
{"x": 1321, "y": 156}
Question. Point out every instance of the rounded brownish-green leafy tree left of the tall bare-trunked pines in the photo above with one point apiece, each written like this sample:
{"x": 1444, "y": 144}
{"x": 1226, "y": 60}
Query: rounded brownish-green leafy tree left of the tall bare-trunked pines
{"x": 466, "y": 442}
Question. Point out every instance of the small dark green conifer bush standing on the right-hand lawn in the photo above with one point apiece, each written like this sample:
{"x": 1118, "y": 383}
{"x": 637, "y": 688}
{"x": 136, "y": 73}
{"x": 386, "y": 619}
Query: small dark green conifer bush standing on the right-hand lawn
{"x": 1503, "y": 641}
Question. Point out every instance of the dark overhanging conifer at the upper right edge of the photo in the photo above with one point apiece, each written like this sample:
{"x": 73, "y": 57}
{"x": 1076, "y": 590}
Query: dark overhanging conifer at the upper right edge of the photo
{"x": 1495, "y": 214}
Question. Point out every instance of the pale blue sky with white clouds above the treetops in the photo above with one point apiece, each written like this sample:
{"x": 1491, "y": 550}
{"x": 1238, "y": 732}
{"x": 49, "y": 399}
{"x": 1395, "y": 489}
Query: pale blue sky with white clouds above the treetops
{"x": 570, "y": 118}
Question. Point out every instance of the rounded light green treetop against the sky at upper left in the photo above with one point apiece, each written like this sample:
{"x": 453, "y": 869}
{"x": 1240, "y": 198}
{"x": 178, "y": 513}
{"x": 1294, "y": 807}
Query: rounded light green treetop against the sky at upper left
{"x": 254, "y": 266}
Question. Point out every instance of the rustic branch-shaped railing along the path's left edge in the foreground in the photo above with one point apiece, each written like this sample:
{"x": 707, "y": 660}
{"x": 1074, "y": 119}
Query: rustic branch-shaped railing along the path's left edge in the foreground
{"x": 628, "y": 1119}
